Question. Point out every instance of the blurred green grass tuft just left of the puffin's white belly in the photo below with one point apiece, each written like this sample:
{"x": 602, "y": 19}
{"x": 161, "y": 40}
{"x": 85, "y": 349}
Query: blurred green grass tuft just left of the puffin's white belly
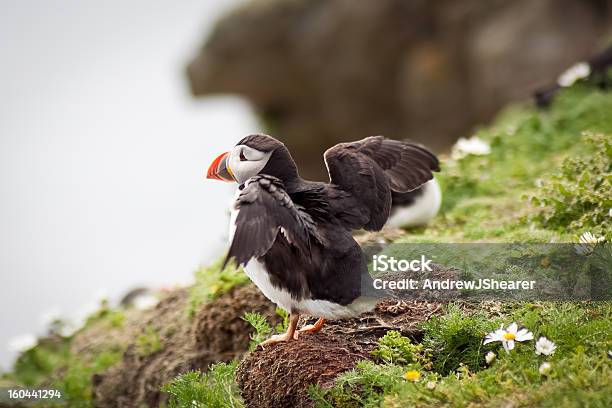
{"x": 212, "y": 282}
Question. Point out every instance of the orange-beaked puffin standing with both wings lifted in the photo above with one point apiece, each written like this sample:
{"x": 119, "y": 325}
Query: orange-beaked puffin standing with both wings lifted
{"x": 294, "y": 237}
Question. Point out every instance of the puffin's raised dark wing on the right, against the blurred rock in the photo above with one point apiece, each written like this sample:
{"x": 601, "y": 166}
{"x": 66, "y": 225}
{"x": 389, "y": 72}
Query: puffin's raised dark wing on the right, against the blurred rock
{"x": 370, "y": 169}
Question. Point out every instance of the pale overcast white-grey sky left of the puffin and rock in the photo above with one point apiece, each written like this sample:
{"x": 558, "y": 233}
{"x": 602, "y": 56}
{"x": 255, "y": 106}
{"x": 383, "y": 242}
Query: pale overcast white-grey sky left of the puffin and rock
{"x": 102, "y": 153}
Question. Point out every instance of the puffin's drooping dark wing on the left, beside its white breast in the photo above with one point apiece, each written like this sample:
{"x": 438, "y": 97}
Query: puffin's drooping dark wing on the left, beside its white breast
{"x": 265, "y": 210}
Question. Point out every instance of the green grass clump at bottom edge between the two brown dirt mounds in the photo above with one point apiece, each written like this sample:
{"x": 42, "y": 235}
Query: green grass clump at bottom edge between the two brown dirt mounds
{"x": 215, "y": 389}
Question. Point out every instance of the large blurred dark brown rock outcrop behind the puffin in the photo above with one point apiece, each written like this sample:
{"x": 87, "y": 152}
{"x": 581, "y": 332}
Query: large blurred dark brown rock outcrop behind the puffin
{"x": 319, "y": 72}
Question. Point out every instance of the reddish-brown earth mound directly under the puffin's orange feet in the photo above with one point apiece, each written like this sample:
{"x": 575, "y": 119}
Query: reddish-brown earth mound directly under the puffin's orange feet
{"x": 280, "y": 374}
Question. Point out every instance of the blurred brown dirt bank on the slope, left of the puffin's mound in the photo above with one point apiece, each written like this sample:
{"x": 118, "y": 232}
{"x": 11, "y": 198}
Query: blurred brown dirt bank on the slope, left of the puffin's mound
{"x": 215, "y": 334}
